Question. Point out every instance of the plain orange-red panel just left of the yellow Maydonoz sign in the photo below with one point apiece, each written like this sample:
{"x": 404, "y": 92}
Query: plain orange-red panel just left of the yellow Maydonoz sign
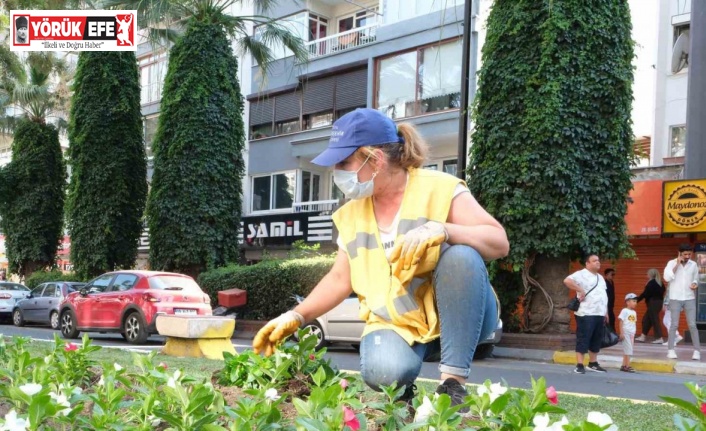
{"x": 644, "y": 215}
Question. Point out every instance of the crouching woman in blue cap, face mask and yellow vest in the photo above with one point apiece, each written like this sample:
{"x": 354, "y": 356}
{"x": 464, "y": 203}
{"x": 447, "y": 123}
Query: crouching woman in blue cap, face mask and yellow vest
{"x": 412, "y": 245}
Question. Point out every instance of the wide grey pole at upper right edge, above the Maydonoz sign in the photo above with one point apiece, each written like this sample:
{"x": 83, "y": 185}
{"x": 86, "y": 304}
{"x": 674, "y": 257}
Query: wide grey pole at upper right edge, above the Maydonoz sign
{"x": 695, "y": 159}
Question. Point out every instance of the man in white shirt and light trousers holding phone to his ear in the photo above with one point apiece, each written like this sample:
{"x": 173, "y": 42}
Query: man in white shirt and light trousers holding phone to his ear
{"x": 682, "y": 275}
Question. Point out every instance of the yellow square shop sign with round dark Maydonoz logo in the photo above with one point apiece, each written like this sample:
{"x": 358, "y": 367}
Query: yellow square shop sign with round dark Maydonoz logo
{"x": 684, "y": 206}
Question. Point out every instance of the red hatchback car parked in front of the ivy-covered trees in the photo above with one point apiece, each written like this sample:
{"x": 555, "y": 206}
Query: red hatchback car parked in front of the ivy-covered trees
{"x": 129, "y": 302}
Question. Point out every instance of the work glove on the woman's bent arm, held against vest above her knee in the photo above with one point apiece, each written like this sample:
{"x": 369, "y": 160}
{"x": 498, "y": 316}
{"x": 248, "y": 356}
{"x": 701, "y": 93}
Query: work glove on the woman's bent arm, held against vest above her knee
{"x": 412, "y": 246}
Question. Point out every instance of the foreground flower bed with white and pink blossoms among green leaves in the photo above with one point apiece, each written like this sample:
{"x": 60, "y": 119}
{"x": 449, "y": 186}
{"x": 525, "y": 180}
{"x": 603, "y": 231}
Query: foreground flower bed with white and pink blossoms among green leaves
{"x": 295, "y": 389}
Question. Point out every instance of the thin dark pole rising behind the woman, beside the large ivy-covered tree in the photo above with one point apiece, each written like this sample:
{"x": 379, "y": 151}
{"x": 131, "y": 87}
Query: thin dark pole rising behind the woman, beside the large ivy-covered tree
{"x": 468, "y": 82}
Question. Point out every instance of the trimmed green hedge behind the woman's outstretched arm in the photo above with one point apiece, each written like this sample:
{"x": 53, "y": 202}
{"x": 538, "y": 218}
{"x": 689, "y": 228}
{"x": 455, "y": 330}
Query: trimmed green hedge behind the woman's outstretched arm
{"x": 270, "y": 284}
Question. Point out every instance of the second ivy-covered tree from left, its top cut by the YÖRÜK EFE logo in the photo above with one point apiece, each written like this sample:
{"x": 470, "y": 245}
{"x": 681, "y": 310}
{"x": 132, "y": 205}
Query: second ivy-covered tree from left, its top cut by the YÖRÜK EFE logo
{"x": 108, "y": 187}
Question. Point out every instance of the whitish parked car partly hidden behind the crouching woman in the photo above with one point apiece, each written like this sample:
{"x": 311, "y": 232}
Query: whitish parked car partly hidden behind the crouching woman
{"x": 342, "y": 325}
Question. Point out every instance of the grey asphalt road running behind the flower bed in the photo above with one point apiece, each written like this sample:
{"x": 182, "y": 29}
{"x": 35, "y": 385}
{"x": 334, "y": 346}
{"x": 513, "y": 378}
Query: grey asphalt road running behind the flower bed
{"x": 517, "y": 373}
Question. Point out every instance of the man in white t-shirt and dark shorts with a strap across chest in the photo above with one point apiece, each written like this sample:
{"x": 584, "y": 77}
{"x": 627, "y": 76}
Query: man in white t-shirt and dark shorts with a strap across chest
{"x": 592, "y": 314}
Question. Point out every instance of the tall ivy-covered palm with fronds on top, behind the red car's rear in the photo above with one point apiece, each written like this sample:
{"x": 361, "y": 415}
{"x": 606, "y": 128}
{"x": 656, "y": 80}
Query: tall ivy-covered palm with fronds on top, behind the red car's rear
{"x": 194, "y": 205}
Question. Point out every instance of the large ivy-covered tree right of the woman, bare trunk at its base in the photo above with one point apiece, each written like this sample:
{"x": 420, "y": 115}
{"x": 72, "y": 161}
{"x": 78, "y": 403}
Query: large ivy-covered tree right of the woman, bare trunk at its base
{"x": 552, "y": 145}
